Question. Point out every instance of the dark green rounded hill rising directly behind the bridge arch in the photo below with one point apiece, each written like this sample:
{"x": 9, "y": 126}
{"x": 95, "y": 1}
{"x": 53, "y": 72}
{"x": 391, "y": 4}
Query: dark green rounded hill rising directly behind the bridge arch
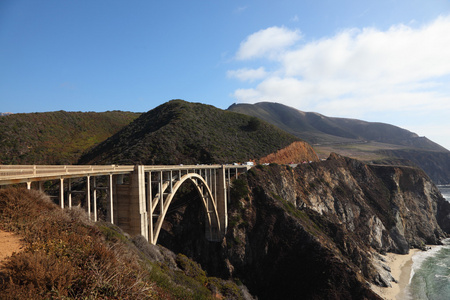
{"x": 180, "y": 132}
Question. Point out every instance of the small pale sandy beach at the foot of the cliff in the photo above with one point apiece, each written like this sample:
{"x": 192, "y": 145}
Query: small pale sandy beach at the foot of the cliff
{"x": 401, "y": 270}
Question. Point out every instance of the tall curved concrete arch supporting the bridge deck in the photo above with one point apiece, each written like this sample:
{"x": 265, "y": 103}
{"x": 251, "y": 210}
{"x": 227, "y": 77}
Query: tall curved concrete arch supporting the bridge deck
{"x": 209, "y": 203}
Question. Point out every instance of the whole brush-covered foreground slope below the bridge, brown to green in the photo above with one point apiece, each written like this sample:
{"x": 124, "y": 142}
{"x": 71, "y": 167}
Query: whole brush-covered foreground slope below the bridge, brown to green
{"x": 65, "y": 256}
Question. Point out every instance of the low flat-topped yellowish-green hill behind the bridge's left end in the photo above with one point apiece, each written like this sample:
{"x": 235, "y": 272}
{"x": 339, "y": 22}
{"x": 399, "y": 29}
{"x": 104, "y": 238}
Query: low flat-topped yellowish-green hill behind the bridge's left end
{"x": 58, "y": 137}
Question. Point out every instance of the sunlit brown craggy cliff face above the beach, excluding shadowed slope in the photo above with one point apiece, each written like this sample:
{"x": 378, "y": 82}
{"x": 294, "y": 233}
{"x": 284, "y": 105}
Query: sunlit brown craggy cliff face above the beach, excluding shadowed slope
{"x": 393, "y": 208}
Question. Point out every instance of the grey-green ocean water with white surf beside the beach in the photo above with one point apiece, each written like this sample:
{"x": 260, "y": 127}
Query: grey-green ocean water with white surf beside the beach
{"x": 430, "y": 276}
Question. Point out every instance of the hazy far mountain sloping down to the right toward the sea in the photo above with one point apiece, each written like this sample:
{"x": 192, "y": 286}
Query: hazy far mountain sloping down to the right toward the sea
{"x": 367, "y": 141}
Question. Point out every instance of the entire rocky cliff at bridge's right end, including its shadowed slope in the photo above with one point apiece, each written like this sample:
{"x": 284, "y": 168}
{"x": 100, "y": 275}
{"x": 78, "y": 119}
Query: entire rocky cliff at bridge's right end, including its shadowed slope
{"x": 315, "y": 231}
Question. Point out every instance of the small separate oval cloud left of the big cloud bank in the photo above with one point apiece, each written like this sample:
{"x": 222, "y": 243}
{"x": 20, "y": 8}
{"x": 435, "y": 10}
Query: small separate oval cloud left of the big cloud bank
{"x": 267, "y": 43}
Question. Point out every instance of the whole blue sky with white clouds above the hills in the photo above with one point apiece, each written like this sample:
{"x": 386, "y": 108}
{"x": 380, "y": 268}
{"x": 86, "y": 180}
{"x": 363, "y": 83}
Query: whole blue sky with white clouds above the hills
{"x": 385, "y": 61}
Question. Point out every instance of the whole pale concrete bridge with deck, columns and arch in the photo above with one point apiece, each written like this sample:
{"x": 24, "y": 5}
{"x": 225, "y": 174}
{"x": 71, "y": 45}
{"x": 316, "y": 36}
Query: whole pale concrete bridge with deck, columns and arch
{"x": 139, "y": 196}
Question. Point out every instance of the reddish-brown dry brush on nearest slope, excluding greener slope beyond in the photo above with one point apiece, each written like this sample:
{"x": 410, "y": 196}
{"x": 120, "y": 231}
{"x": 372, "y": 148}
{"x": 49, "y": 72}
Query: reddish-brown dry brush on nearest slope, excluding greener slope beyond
{"x": 64, "y": 256}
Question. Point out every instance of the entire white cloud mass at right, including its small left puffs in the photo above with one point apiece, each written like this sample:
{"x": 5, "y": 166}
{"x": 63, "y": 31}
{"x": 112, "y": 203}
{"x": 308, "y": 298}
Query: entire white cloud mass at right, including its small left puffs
{"x": 357, "y": 70}
